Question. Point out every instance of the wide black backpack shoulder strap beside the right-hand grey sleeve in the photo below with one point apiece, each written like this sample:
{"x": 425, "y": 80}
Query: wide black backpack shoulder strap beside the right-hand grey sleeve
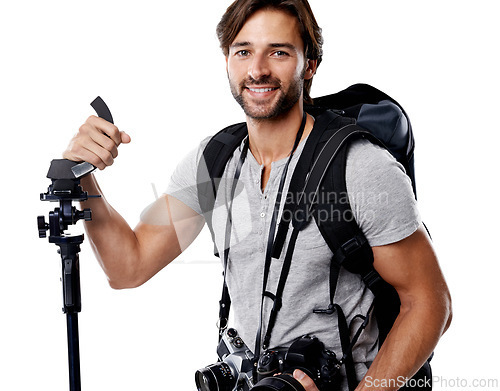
{"x": 335, "y": 220}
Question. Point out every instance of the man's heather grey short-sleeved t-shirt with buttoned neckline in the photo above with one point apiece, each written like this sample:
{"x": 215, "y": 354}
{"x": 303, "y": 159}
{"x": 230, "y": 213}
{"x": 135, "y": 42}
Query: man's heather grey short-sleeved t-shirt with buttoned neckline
{"x": 383, "y": 204}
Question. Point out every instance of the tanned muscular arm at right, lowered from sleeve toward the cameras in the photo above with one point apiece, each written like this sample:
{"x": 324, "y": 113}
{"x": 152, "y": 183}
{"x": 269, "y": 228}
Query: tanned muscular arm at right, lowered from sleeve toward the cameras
{"x": 412, "y": 268}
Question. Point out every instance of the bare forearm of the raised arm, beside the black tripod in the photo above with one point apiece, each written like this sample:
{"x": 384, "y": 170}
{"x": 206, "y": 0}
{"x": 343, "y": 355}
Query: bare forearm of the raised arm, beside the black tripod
{"x": 113, "y": 241}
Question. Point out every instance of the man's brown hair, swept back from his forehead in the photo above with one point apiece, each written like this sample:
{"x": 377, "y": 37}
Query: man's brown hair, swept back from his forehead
{"x": 240, "y": 11}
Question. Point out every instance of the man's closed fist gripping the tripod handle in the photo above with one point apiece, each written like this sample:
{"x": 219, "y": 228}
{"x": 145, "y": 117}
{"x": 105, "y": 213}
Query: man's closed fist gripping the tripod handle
{"x": 96, "y": 142}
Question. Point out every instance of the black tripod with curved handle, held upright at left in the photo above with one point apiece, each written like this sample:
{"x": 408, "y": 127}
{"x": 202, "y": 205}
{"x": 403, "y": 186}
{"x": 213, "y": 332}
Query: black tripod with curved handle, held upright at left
{"x": 65, "y": 189}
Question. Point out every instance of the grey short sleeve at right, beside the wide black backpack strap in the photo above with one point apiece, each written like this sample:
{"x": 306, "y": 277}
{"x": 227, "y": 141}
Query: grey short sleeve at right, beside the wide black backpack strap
{"x": 380, "y": 194}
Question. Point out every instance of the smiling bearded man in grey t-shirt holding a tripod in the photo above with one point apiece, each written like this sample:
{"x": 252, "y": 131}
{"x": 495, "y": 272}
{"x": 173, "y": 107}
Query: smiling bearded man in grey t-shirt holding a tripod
{"x": 272, "y": 51}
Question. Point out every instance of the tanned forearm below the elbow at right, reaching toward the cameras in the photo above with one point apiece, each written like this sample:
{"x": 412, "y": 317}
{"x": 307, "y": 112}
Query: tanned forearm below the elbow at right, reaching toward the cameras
{"x": 411, "y": 341}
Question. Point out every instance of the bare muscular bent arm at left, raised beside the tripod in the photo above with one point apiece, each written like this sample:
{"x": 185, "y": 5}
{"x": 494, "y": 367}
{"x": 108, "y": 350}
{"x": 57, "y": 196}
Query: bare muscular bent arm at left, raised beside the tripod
{"x": 131, "y": 257}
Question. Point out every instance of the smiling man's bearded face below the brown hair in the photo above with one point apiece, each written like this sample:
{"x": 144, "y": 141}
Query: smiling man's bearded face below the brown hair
{"x": 266, "y": 65}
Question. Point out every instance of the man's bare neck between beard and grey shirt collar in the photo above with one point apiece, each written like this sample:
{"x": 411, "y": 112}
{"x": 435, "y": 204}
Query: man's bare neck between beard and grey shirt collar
{"x": 273, "y": 139}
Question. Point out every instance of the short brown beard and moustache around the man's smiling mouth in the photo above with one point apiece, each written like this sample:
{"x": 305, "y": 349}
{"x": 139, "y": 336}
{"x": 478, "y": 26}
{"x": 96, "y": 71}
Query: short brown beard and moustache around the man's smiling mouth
{"x": 284, "y": 104}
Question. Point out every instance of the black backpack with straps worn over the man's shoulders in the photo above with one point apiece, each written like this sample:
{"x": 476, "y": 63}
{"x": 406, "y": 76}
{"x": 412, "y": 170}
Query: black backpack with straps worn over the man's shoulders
{"x": 360, "y": 111}
